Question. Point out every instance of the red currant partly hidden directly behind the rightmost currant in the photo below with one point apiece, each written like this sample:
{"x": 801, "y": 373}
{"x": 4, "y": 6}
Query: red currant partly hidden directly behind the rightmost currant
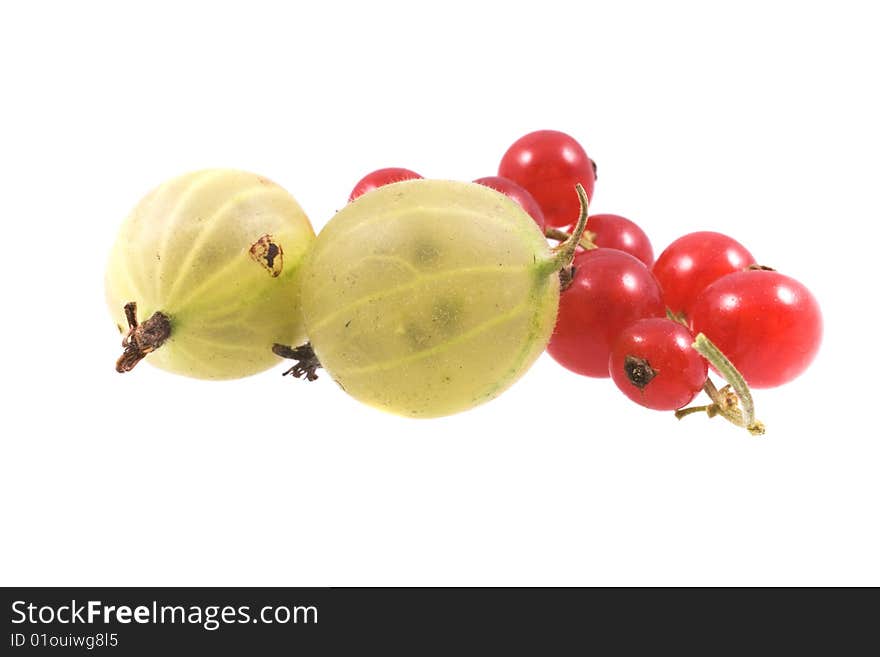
{"x": 693, "y": 262}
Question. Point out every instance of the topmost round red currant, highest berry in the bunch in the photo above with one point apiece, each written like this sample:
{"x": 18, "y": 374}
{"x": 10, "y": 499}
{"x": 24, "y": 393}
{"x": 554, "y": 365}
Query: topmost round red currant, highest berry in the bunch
{"x": 548, "y": 164}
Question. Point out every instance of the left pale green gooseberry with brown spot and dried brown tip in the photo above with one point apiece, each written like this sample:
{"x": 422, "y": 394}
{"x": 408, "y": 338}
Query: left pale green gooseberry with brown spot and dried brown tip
{"x": 209, "y": 264}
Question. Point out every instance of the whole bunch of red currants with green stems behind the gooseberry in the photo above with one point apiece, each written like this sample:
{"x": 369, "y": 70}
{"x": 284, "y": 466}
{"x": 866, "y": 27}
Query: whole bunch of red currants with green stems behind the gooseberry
{"x": 655, "y": 328}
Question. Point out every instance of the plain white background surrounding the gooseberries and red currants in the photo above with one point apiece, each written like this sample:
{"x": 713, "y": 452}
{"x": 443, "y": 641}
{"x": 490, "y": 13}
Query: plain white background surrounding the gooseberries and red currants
{"x": 758, "y": 119}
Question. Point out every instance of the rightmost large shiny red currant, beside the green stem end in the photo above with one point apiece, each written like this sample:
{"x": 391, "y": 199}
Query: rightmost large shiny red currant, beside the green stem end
{"x": 768, "y": 325}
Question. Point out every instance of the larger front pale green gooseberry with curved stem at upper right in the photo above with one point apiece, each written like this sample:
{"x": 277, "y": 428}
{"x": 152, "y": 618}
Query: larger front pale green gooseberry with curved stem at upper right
{"x": 427, "y": 297}
